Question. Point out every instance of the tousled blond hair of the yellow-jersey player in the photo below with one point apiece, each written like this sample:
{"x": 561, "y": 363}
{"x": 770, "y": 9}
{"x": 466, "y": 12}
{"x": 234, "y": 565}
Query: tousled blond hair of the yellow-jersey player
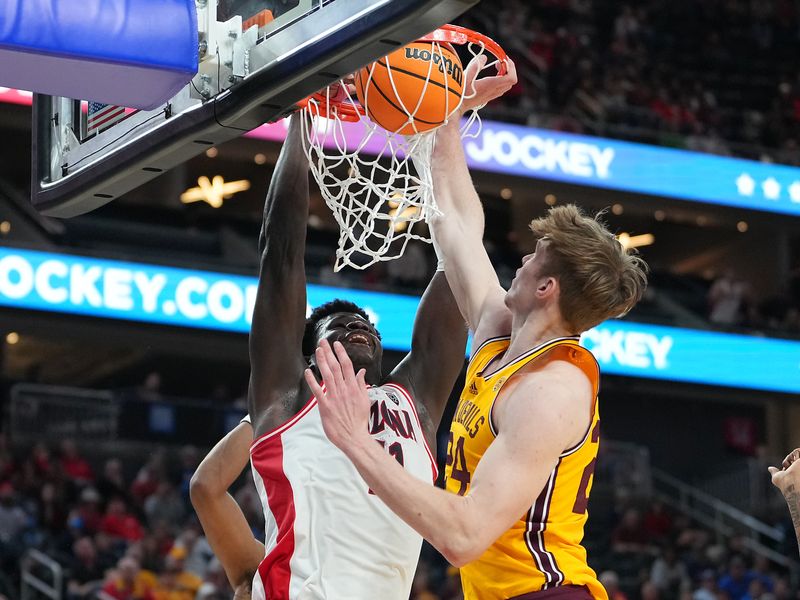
{"x": 598, "y": 278}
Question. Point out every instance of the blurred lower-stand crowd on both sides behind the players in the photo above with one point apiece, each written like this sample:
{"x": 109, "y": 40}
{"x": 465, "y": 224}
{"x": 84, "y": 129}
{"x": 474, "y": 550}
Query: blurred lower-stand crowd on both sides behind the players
{"x": 129, "y": 533}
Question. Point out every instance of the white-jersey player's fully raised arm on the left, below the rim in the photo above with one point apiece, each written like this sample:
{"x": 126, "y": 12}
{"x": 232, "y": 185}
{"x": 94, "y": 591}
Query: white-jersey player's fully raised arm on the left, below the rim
{"x": 276, "y": 335}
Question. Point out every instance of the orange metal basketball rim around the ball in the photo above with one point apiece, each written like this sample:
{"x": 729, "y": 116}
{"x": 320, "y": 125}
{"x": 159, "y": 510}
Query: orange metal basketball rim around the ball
{"x": 336, "y": 103}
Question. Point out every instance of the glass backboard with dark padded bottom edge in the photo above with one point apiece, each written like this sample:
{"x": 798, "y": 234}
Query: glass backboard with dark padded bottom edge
{"x": 258, "y": 58}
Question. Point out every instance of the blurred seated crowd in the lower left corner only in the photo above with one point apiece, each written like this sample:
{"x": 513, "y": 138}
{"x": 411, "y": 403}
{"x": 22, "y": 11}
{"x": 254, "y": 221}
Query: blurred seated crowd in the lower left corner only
{"x": 117, "y": 534}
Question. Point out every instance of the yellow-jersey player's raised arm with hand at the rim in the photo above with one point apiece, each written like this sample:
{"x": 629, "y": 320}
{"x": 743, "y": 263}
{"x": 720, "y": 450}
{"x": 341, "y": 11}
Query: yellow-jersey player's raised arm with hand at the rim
{"x": 459, "y": 232}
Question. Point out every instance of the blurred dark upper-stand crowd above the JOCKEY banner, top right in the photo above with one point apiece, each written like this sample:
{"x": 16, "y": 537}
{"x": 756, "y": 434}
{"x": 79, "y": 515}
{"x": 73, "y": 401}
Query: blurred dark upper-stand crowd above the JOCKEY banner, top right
{"x": 716, "y": 76}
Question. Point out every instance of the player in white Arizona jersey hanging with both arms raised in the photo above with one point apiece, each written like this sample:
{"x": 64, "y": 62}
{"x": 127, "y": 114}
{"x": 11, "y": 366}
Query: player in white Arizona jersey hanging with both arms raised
{"x": 327, "y": 535}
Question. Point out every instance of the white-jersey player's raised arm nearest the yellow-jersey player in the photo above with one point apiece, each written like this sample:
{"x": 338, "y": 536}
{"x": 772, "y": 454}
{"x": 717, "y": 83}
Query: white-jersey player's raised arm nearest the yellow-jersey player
{"x": 438, "y": 346}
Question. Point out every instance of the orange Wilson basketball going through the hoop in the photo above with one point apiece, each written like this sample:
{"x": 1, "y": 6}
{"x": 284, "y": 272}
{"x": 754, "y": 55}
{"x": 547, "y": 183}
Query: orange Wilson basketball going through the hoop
{"x": 413, "y": 89}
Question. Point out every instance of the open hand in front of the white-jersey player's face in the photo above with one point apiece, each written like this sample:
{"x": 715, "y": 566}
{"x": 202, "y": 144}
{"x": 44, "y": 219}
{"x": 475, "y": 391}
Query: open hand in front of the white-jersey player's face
{"x": 344, "y": 403}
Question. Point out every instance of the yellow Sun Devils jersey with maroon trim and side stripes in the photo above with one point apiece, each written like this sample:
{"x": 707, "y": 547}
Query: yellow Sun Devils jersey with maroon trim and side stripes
{"x": 542, "y": 550}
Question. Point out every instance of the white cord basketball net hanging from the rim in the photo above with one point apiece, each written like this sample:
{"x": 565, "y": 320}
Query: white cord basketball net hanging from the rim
{"x": 377, "y": 183}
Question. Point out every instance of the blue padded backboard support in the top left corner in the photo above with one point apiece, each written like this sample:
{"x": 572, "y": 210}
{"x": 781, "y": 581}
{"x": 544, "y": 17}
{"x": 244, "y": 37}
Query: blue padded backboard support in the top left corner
{"x": 135, "y": 53}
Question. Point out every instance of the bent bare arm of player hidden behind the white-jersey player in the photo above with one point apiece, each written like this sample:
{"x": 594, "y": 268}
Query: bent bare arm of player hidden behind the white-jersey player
{"x": 225, "y": 526}
